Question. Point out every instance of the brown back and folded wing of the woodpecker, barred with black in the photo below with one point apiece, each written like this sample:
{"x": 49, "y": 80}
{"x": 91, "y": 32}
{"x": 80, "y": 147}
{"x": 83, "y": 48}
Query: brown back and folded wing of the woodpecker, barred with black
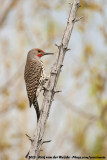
{"x": 32, "y": 76}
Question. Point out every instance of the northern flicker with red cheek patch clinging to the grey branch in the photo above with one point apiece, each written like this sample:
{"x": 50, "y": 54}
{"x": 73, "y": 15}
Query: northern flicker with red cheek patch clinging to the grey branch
{"x": 34, "y": 76}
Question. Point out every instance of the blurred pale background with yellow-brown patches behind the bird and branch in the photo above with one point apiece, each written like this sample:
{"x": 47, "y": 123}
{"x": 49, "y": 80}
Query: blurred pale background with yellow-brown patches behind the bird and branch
{"x": 77, "y": 124}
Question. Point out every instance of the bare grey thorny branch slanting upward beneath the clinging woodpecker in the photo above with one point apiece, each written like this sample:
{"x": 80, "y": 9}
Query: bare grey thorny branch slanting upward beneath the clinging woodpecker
{"x": 50, "y": 91}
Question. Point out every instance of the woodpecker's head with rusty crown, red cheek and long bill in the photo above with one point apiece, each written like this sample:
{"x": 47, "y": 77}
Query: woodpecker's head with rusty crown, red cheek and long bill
{"x": 38, "y": 52}
